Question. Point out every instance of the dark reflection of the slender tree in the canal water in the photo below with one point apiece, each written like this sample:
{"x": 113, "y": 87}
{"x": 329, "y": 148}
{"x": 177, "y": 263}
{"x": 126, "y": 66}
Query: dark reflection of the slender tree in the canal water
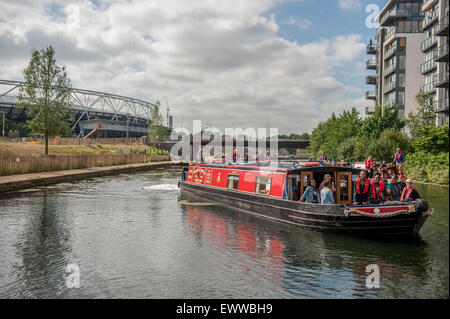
{"x": 43, "y": 249}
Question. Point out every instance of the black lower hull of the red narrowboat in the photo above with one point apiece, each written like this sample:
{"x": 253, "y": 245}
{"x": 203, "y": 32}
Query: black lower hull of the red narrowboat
{"x": 325, "y": 218}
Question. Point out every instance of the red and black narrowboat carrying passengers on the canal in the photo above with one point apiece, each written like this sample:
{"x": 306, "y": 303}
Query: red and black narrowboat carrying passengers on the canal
{"x": 274, "y": 193}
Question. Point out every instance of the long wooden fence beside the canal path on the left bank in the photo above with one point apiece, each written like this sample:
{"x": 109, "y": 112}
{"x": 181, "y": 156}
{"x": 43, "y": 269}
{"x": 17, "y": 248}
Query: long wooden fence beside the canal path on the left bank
{"x": 11, "y": 164}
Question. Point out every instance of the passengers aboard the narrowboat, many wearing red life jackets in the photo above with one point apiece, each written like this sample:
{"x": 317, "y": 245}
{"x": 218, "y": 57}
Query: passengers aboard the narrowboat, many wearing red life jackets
{"x": 379, "y": 183}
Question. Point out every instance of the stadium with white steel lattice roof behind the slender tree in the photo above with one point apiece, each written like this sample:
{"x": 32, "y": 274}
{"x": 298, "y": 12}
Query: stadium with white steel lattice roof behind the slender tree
{"x": 119, "y": 115}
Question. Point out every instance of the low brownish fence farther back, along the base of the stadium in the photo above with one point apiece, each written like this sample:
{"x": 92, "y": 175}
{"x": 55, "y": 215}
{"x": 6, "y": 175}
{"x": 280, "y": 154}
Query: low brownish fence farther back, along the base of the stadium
{"x": 78, "y": 141}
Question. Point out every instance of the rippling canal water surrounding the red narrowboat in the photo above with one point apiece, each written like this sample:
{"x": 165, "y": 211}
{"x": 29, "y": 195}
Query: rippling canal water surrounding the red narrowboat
{"x": 132, "y": 236}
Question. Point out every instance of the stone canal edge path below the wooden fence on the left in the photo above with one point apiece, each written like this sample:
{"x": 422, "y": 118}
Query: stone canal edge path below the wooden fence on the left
{"x": 22, "y": 181}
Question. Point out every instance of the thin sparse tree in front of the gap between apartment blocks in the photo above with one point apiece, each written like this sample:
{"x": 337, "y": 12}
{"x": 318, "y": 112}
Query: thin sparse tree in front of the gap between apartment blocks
{"x": 424, "y": 116}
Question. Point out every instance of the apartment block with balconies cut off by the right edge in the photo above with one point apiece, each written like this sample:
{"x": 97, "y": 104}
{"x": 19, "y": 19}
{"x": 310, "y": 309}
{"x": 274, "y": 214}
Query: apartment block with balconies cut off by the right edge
{"x": 435, "y": 68}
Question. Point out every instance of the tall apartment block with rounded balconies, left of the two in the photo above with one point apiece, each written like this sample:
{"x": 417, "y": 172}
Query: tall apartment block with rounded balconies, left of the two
{"x": 397, "y": 56}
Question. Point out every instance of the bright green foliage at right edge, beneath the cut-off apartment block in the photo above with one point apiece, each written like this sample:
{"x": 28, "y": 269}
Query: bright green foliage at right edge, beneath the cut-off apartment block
{"x": 432, "y": 139}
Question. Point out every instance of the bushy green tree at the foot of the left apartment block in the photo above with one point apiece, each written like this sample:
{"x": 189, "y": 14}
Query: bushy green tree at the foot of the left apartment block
{"x": 381, "y": 120}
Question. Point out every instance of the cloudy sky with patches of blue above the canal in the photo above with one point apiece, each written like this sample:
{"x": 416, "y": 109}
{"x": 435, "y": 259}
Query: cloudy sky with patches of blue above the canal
{"x": 233, "y": 63}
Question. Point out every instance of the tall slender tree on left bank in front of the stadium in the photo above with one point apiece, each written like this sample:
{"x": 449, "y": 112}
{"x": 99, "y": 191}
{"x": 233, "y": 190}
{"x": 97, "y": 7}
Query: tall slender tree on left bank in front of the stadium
{"x": 45, "y": 95}
